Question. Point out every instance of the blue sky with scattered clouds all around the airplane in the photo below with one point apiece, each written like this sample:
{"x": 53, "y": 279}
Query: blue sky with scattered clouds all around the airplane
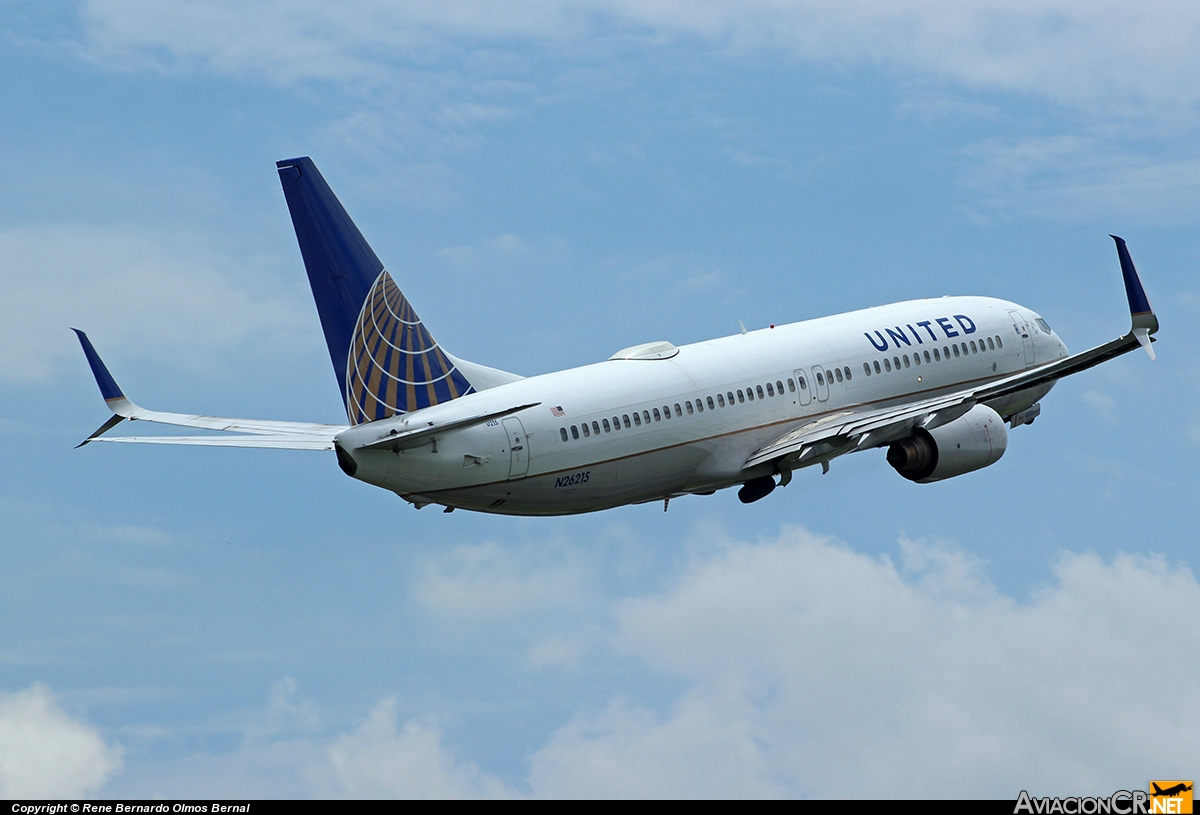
{"x": 550, "y": 183}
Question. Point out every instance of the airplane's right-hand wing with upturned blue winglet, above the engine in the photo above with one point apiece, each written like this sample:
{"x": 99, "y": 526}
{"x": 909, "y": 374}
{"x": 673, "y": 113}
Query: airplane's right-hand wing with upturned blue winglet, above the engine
{"x": 861, "y": 429}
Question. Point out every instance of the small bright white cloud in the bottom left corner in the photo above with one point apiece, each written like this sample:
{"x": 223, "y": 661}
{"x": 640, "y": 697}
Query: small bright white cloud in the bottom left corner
{"x": 46, "y": 753}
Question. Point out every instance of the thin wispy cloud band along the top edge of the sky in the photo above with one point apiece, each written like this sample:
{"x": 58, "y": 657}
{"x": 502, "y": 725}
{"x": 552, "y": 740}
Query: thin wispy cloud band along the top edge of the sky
{"x": 1075, "y": 52}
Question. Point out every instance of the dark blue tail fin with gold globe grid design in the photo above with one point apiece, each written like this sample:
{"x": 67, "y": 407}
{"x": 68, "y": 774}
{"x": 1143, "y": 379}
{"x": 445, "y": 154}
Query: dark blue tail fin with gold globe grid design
{"x": 385, "y": 359}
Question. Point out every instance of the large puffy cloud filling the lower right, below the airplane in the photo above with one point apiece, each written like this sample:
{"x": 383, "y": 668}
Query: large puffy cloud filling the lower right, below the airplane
{"x": 809, "y": 664}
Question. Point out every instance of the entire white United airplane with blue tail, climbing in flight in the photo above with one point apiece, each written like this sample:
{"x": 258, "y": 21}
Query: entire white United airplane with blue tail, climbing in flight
{"x": 933, "y": 381}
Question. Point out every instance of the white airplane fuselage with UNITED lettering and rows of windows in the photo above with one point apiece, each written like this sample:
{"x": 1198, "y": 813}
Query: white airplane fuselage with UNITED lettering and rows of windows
{"x": 659, "y": 424}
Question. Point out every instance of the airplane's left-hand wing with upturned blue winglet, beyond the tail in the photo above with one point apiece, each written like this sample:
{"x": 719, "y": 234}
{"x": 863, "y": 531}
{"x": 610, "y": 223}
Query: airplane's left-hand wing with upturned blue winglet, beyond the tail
{"x": 254, "y": 433}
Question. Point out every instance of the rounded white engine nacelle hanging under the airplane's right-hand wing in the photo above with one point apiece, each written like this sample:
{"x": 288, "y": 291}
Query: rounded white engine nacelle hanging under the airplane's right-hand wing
{"x": 971, "y": 442}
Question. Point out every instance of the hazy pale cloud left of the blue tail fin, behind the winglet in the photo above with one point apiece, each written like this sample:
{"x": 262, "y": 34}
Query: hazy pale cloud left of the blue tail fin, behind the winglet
{"x": 131, "y": 295}
